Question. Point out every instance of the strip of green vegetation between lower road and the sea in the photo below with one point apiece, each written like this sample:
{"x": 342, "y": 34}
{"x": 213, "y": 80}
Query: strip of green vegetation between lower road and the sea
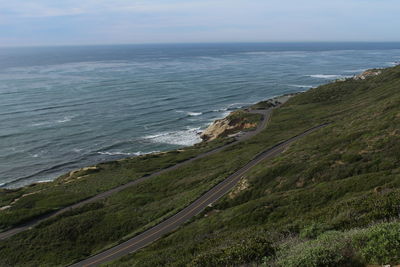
{"x": 39, "y": 199}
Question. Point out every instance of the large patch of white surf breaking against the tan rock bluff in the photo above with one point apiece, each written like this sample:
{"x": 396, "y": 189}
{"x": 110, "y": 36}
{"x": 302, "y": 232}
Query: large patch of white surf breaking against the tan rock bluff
{"x": 183, "y": 137}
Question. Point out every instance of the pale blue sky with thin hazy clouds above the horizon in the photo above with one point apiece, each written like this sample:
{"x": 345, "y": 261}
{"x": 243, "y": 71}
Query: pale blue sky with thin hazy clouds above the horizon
{"x": 81, "y": 22}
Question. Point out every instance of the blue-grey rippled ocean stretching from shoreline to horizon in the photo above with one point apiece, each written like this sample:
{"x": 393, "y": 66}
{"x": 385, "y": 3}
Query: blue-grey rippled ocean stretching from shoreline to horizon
{"x": 63, "y": 108}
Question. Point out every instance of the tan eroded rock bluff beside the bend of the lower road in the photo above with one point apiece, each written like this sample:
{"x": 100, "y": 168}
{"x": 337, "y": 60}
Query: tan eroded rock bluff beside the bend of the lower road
{"x": 225, "y": 127}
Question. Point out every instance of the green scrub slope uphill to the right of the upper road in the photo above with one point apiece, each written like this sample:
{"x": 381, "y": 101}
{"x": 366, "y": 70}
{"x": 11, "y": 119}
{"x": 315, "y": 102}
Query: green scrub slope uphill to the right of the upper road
{"x": 340, "y": 178}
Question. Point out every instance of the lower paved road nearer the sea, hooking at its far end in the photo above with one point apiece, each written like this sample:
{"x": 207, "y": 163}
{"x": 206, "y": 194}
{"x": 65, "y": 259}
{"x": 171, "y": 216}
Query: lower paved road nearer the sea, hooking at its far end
{"x": 266, "y": 115}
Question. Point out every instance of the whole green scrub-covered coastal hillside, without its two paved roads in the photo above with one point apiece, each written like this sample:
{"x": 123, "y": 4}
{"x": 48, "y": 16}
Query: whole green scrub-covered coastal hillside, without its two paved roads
{"x": 332, "y": 198}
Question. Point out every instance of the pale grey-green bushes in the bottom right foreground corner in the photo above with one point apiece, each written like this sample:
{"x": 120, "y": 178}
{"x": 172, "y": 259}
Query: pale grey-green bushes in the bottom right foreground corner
{"x": 377, "y": 244}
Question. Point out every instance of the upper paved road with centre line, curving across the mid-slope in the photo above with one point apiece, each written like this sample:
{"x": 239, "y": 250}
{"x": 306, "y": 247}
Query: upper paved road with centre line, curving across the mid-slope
{"x": 193, "y": 209}
